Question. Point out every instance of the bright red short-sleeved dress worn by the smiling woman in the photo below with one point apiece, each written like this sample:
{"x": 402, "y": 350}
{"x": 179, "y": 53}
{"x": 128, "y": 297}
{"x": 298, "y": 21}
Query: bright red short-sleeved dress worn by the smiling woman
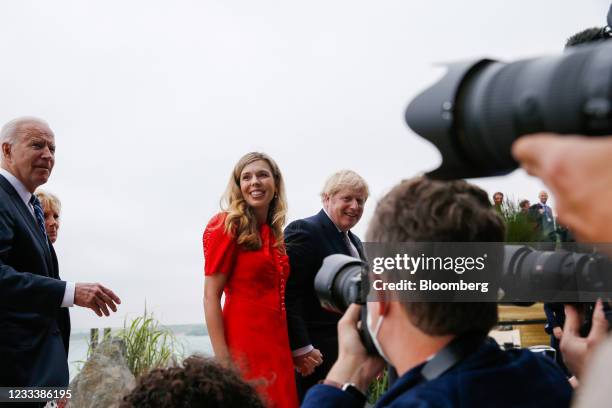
{"x": 254, "y": 316}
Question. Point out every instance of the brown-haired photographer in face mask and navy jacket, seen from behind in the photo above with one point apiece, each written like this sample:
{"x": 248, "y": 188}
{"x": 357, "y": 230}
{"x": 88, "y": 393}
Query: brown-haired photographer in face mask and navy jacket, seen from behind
{"x": 440, "y": 350}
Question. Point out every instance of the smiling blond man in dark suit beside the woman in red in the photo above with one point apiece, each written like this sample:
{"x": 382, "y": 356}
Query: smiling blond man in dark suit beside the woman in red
{"x": 312, "y": 330}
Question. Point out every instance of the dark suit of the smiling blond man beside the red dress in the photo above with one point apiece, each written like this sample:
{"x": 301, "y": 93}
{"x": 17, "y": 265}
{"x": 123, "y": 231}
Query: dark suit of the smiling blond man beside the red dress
{"x": 308, "y": 242}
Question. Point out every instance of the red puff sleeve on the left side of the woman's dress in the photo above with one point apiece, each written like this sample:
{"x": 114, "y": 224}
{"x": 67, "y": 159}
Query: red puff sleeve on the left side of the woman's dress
{"x": 220, "y": 249}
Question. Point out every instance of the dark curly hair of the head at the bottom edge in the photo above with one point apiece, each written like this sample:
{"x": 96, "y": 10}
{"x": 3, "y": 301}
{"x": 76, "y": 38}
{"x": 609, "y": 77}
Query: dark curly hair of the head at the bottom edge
{"x": 201, "y": 382}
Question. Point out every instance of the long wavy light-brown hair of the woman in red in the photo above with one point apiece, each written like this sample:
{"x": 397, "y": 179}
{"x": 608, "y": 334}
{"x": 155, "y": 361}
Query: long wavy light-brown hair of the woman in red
{"x": 240, "y": 221}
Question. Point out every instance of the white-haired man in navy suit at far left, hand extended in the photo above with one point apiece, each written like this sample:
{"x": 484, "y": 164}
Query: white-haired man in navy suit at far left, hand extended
{"x": 34, "y": 319}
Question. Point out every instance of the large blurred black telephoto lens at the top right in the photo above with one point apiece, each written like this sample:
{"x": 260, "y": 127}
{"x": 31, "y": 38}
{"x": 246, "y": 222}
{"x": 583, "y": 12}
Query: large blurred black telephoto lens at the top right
{"x": 479, "y": 108}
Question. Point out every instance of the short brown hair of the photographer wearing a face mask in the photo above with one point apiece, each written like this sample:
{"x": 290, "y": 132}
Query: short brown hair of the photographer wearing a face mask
{"x": 424, "y": 210}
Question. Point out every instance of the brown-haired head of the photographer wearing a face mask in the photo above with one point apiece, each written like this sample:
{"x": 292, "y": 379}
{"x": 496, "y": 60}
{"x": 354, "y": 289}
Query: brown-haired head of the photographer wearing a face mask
{"x": 424, "y": 210}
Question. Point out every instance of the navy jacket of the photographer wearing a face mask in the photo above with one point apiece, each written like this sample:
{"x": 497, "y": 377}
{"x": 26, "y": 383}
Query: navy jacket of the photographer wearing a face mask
{"x": 488, "y": 377}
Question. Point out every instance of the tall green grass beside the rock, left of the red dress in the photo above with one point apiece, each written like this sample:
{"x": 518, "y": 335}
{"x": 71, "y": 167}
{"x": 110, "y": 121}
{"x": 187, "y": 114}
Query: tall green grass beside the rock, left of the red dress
{"x": 148, "y": 345}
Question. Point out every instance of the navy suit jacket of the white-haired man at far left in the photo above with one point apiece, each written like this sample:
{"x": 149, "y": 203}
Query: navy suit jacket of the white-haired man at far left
{"x": 34, "y": 329}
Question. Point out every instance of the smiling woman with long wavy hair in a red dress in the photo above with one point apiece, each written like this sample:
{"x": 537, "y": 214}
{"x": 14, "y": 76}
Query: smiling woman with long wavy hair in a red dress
{"x": 245, "y": 259}
